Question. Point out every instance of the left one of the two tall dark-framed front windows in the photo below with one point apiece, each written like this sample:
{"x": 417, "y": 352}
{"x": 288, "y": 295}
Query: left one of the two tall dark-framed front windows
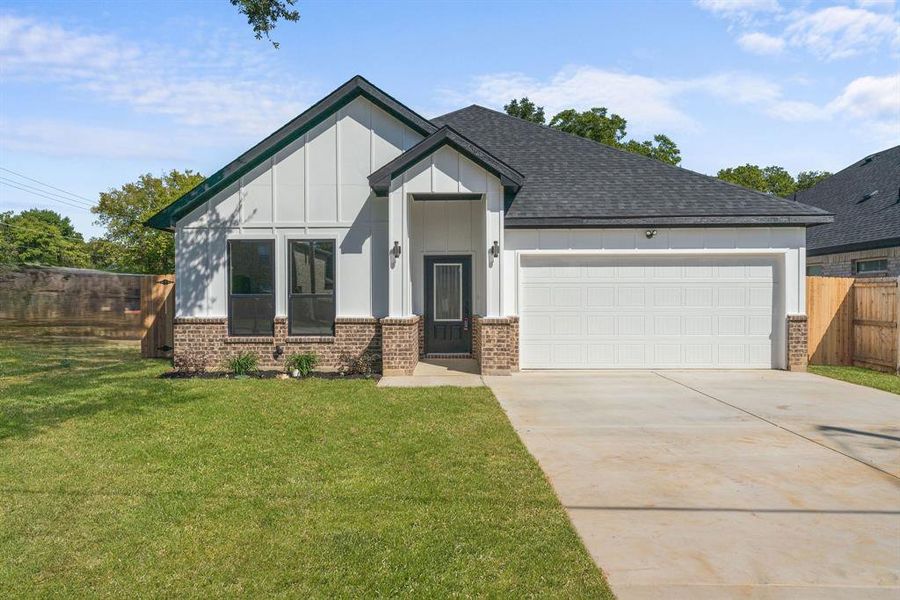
{"x": 251, "y": 284}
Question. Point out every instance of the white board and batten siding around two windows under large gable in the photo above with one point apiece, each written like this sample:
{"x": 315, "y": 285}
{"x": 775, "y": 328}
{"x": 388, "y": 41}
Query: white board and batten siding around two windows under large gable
{"x": 316, "y": 187}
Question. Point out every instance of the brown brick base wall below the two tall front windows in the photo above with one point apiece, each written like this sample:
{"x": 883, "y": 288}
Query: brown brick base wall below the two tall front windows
{"x": 205, "y": 342}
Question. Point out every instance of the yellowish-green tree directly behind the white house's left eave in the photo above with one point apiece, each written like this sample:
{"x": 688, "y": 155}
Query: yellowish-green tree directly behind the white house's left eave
{"x": 127, "y": 244}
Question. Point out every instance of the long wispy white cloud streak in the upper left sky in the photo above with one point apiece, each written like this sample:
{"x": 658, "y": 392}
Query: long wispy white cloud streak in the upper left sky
{"x": 224, "y": 87}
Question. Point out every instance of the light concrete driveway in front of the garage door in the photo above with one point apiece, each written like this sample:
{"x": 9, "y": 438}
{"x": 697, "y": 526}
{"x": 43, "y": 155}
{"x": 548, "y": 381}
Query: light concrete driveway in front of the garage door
{"x": 725, "y": 484}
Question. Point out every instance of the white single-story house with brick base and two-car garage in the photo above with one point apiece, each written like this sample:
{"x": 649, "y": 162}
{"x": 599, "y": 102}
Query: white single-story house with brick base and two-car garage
{"x": 361, "y": 225}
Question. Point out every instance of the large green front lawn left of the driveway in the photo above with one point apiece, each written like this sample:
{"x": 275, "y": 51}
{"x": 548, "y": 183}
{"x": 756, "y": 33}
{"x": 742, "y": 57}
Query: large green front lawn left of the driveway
{"x": 116, "y": 483}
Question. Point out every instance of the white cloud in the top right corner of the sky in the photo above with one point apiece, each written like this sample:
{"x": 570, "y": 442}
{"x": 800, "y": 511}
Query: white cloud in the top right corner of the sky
{"x": 841, "y": 32}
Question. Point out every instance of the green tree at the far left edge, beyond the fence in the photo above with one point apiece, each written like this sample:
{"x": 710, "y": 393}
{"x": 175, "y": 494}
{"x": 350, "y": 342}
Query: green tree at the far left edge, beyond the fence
{"x": 41, "y": 237}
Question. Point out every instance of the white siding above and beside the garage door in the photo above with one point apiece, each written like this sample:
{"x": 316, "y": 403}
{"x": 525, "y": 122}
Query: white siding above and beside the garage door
{"x": 789, "y": 242}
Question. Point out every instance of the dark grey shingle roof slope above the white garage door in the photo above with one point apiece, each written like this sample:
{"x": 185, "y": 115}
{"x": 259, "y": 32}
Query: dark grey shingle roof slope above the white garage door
{"x": 572, "y": 181}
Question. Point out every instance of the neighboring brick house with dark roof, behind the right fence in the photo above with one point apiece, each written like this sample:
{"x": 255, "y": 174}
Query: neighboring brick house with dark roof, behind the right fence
{"x": 864, "y": 239}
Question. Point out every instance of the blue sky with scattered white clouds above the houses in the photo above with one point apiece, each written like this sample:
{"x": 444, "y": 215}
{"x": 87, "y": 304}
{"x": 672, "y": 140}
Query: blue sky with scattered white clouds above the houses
{"x": 93, "y": 94}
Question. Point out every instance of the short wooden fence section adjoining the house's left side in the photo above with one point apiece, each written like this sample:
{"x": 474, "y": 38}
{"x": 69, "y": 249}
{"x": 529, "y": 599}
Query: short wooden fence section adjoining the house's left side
{"x": 157, "y": 316}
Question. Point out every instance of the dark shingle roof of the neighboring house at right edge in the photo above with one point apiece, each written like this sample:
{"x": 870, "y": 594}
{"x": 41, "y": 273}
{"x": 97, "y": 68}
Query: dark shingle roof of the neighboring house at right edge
{"x": 859, "y": 222}
